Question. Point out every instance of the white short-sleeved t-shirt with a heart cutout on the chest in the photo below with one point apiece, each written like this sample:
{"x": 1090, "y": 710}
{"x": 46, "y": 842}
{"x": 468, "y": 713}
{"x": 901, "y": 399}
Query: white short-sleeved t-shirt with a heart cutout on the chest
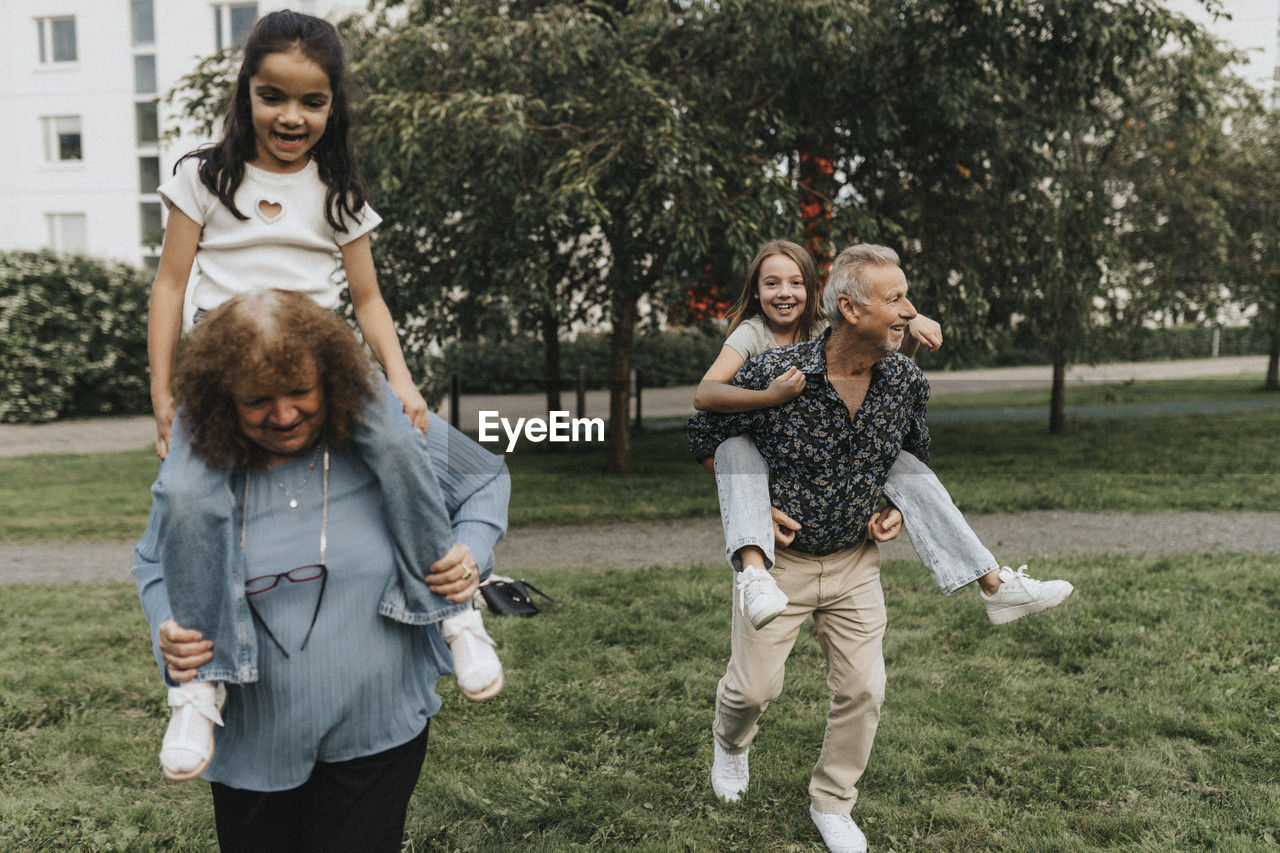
{"x": 285, "y": 244}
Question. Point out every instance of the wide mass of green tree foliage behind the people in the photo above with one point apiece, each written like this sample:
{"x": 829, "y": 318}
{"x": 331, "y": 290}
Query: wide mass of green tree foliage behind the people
{"x": 1054, "y": 174}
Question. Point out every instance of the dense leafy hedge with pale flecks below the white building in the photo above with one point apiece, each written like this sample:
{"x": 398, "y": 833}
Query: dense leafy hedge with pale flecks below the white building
{"x": 74, "y": 337}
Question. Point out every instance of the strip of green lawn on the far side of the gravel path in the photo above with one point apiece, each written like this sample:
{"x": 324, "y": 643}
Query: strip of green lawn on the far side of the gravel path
{"x": 1159, "y": 463}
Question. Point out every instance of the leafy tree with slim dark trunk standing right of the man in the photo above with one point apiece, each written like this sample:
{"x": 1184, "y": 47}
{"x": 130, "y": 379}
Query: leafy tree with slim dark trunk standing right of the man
{"x": 1012, "y": 167}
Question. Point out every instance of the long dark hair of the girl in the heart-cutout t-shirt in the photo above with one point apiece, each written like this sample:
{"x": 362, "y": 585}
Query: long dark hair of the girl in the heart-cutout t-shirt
{"x": 222, "y": 166}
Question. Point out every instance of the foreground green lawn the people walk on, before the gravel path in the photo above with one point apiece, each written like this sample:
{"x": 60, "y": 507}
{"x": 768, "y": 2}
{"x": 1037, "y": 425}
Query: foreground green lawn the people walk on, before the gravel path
{"x": 1142, "y": 715}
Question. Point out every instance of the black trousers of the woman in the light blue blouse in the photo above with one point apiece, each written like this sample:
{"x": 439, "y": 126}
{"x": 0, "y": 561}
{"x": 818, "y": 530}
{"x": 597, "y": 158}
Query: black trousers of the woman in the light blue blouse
{"x": 355, "y": 805}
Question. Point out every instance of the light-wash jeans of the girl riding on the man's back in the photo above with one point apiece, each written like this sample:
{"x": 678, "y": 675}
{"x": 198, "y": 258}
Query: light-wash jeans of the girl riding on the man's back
{"x": 945, "y": 542}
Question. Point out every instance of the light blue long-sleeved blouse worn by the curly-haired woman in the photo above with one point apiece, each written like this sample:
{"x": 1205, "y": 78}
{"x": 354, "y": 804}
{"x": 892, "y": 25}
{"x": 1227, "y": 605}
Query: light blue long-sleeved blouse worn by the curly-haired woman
{"x": 364, "y": 683}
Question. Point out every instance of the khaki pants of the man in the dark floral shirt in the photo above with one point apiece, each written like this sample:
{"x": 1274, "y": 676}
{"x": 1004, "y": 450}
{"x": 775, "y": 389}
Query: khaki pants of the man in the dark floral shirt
{"x": 843, "y": 594}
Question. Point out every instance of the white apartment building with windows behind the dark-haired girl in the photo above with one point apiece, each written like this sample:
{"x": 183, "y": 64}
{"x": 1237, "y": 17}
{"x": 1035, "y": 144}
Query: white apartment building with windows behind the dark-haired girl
{"x": 81, "y": 113}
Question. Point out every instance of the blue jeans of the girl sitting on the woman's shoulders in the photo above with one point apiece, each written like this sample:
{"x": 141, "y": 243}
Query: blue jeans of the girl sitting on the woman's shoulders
{"x": 199, "y": 536}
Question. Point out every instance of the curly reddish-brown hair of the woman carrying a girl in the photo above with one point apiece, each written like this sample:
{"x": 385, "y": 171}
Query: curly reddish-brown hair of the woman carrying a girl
{"x": 263, "y": 341}
